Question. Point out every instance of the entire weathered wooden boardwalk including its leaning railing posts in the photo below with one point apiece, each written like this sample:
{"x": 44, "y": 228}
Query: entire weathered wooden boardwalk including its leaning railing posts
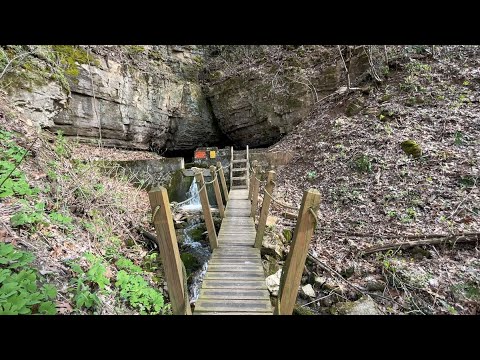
{"x": 234, "y": 283}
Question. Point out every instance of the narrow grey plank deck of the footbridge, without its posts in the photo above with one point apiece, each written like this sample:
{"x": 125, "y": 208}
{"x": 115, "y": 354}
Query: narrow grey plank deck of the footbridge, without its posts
{"x": 235, "y": 281}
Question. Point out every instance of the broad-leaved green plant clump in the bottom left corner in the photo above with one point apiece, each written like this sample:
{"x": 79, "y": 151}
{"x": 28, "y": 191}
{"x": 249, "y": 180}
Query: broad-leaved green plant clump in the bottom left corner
{"x": 20, "y": 292}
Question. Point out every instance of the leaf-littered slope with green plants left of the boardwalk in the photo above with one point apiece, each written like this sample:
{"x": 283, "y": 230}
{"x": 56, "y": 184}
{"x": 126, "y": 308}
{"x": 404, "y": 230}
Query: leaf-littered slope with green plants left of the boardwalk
{"x": 79, "y": 220}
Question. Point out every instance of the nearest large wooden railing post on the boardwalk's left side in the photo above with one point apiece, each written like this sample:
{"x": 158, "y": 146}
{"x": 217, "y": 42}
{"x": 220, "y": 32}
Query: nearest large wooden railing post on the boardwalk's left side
{"x": 168, "y": 247}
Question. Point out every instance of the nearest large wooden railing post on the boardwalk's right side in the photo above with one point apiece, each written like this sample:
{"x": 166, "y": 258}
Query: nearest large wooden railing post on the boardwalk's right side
{"x": 293, "y": 268}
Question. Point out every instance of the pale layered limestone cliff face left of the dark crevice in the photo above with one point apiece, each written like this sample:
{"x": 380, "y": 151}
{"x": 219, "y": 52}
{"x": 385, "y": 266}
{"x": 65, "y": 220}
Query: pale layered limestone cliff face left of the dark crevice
{"x": 155, "y": 102}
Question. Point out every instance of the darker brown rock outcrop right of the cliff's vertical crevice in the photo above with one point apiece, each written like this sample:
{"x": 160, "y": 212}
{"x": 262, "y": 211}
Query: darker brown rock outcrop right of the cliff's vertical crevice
{"x": 261, "y": 103}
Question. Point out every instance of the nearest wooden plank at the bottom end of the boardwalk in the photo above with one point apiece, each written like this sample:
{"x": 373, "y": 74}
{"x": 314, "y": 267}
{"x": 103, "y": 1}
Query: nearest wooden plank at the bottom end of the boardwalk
{"x": 233, "y": 305}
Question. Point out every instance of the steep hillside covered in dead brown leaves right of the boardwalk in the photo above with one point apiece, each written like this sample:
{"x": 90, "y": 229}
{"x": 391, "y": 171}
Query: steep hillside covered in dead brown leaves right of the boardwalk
{"x": 374, "y": 193}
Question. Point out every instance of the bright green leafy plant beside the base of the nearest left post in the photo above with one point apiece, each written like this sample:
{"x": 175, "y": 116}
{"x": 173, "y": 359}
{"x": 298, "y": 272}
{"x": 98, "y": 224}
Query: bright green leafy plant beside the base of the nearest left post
{"x": 135, "y": 290}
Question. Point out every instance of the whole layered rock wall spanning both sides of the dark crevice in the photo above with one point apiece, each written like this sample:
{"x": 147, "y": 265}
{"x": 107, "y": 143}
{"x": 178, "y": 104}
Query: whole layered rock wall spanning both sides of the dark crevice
{"x": 151, "y": 97}
